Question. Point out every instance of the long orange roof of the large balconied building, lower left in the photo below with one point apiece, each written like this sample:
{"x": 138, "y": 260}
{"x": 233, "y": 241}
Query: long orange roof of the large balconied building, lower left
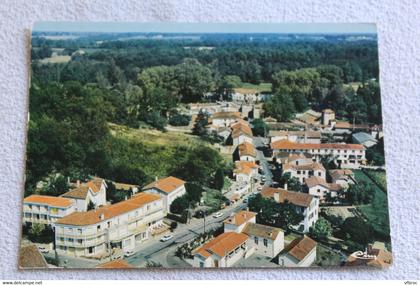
{"x": 104, "y": 213}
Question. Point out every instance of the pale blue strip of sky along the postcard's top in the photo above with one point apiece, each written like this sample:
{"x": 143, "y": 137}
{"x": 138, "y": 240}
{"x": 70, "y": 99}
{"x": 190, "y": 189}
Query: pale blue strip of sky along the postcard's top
{"x": 132, "y": 27}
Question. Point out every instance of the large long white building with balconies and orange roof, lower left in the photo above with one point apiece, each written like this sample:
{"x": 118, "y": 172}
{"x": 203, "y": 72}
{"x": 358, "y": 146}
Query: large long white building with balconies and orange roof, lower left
{"x": 101, "y": 231}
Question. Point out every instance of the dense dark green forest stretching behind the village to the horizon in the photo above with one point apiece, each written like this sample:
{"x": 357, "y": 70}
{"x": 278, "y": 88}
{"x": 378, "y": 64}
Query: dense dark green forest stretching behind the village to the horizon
{"x": 143, "y": 82}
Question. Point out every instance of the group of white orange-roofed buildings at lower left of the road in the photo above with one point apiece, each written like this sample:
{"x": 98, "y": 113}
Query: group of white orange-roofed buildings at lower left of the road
{"x": 108, "y": 228}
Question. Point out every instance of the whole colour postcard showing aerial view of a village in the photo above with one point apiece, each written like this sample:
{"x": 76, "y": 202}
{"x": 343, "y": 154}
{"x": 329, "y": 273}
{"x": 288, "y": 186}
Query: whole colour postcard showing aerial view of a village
{"x": 204, "y": 146}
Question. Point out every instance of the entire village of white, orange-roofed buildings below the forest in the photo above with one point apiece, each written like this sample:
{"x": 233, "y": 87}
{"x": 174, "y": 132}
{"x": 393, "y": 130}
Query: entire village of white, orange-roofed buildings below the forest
{"x": 89, "y": 229}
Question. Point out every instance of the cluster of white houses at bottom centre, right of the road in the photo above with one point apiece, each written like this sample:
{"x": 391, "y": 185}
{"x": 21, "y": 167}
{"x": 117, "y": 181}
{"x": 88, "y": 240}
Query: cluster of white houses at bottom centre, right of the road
{"x": 242, "y": 237}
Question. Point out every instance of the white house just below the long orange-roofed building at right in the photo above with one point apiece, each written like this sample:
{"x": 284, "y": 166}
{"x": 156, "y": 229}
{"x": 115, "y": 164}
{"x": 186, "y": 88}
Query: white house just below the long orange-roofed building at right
{"x": 304, "y": 171}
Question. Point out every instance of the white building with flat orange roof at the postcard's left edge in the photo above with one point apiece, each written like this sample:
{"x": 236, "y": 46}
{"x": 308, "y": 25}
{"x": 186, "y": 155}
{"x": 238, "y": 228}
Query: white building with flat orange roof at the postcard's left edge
{"x": 44, "y": 209}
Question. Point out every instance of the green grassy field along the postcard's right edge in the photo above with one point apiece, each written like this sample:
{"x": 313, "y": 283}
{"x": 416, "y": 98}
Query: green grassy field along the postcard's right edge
{"x": 376, "y": 213}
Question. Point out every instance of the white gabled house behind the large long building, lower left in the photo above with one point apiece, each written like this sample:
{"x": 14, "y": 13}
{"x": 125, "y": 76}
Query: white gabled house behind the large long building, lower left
{"x": 93, "y": 191}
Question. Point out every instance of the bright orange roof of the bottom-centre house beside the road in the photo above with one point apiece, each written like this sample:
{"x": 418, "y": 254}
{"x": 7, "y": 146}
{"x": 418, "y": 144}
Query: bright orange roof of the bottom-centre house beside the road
{"x": 222, "y": 244}
